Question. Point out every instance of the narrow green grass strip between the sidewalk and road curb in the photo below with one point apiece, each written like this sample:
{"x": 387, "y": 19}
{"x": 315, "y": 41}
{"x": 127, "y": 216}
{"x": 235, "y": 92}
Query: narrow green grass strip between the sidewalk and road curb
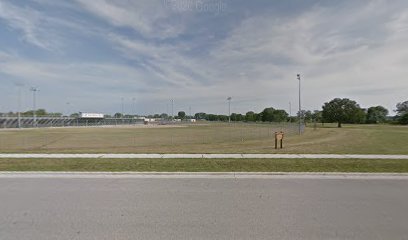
{"x": 207, "y": 165}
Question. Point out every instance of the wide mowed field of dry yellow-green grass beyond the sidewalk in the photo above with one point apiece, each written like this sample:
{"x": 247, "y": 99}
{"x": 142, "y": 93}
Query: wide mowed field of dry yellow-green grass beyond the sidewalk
{"x": 208, "y": 138}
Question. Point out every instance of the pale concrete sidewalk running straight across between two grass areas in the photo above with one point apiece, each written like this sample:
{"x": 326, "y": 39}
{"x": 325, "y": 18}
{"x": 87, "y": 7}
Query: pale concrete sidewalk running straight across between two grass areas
{"x": 209, "y": 156}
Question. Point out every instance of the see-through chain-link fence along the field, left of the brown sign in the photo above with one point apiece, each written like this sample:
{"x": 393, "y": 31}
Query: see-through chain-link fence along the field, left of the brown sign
{"x": 153, "y": 138}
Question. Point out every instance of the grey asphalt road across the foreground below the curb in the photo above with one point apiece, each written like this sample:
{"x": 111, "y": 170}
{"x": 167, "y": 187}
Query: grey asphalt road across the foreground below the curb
{"x": 194, "y": 208}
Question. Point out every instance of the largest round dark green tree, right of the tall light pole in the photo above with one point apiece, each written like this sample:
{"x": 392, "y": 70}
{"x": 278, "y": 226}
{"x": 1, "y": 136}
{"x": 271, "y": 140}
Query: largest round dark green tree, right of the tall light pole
{"x": 343, "y": 111}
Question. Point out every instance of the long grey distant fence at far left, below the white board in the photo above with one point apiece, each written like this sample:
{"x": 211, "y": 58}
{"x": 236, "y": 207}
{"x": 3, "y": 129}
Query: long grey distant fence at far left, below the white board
{"x": 29, "y": 122}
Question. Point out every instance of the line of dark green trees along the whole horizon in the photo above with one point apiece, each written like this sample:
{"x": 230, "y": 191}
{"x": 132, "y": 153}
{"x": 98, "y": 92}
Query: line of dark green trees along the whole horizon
{"x": 338, "y": 110}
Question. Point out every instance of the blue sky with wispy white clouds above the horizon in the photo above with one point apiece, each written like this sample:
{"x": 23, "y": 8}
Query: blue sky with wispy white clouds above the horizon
{"x": 91, "y": 56}
